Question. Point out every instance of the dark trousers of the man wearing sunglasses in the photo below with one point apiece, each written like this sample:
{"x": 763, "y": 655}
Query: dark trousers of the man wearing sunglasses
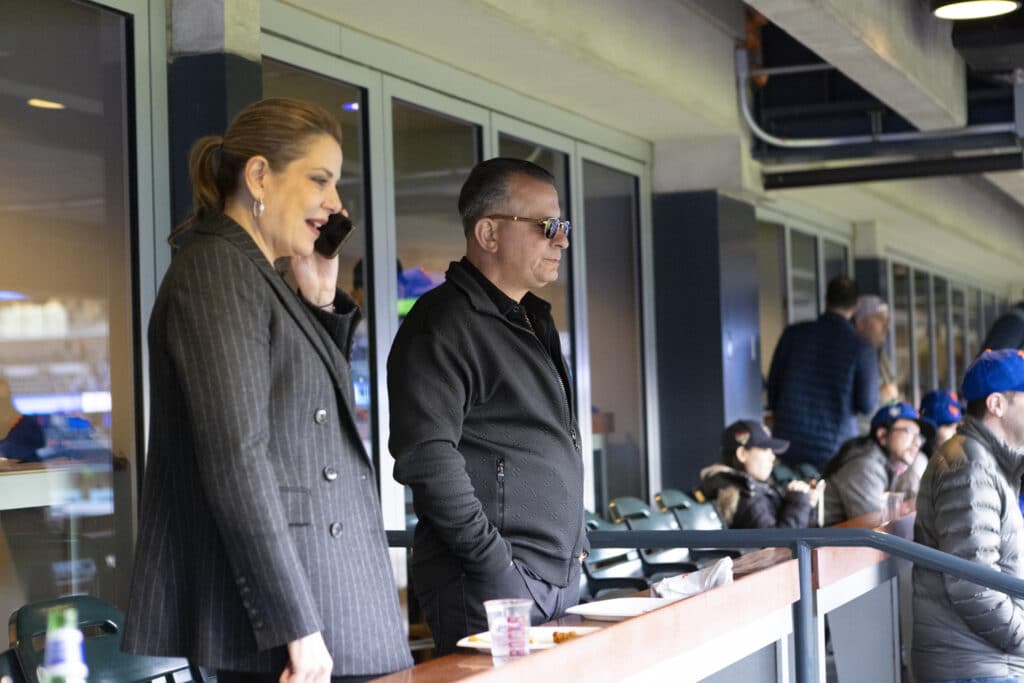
{"x": 455, "y": 611}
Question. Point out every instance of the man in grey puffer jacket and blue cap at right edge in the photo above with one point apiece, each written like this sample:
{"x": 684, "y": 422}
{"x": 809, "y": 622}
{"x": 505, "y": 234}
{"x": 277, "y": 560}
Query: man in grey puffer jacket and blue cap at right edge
{"x": 968, "y": 507}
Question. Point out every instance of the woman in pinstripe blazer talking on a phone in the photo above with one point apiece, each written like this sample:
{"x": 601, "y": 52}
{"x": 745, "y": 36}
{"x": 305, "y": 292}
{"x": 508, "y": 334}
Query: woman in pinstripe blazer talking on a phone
{"x": 262, "y": 551}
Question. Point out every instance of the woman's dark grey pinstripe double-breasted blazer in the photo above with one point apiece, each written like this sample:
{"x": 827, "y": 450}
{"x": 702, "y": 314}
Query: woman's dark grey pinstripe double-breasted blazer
{"x": 260, "y": 521}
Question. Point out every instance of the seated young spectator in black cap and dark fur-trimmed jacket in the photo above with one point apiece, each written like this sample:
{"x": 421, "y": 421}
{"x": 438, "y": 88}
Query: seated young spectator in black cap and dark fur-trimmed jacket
{"x": 743, "y": 490}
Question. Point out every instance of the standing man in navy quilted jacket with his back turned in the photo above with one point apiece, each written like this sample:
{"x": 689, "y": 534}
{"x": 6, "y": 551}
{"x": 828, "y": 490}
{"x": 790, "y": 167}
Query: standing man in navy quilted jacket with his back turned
{"x": 823, "y": 374}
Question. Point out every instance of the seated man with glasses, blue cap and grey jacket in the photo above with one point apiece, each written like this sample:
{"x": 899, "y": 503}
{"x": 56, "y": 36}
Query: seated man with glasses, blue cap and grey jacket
{"x": 868, "y": 467}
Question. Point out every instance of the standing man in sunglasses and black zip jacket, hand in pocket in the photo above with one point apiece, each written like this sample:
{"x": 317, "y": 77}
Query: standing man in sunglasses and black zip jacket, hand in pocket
{"x": 483, "y": 424}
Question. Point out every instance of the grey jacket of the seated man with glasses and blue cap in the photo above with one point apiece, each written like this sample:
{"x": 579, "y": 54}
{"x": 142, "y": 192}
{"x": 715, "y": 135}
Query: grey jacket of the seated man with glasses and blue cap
{"x": 859, "y": 478}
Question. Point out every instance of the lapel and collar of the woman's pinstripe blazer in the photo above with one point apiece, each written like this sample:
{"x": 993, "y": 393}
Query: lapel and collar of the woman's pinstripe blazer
{"x": 229, "y": 230}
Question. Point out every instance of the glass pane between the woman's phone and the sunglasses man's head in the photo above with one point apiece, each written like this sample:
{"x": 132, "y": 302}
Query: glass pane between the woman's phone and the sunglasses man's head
{"x": 434, "y": 155}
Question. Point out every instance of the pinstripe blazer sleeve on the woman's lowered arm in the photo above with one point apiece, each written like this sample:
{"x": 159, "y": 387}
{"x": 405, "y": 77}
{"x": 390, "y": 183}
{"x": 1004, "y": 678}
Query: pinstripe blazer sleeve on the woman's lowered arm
{"x": 219, "y": 338}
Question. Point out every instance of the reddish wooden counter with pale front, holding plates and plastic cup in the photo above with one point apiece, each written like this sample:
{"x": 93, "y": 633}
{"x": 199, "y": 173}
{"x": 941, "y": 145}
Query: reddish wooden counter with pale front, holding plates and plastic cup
{"x": 687, "y": 641}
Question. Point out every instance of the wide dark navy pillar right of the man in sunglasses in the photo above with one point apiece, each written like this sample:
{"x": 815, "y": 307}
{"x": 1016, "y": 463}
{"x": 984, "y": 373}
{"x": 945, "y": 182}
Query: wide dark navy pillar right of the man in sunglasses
{"x": 706, "y": 297}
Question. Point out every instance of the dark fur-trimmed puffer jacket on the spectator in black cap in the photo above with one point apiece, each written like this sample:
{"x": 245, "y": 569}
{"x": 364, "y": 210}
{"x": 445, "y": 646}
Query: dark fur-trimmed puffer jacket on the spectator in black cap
{"x": 743, "y": 502}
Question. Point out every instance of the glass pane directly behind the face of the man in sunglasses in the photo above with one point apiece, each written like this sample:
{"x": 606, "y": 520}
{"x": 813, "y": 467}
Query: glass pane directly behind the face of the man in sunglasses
{"x": 559, "y": 294}
